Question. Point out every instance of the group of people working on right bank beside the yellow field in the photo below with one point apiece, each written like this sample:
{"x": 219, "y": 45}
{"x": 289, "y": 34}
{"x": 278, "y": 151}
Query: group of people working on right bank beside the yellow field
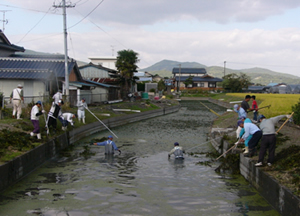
{"x": 250, "y": 134}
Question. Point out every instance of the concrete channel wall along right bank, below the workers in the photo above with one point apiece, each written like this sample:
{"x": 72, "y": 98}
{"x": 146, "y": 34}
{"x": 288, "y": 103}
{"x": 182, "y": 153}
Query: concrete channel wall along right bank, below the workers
{"x": 280, "y": 197}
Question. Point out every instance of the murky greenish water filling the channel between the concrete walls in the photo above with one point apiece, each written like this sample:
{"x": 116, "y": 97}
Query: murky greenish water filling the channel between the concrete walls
{"x": 140, "y": 181}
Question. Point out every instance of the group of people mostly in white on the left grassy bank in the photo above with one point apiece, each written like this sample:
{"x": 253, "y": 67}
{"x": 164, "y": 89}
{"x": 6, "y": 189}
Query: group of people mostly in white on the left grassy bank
{"x": 55, "y": 112}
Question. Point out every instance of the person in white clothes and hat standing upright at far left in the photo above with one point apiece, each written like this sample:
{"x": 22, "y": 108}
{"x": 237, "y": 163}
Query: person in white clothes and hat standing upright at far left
{"x": 16, "y": 97}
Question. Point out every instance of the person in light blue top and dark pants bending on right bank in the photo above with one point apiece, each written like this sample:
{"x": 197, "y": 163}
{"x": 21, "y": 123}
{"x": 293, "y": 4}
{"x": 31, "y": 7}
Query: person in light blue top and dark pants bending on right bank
{"x": 250, "y": 129}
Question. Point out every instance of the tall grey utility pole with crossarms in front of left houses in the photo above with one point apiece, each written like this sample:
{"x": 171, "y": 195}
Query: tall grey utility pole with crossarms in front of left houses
{"x": 64, "y": 6}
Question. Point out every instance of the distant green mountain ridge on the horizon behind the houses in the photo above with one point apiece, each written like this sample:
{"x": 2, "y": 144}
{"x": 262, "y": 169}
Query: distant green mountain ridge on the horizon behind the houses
{"x": 258, "y": 75}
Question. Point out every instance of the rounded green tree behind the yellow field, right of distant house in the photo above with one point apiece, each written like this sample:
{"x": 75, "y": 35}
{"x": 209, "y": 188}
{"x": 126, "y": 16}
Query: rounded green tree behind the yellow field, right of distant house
{"x": 234, "y": 83}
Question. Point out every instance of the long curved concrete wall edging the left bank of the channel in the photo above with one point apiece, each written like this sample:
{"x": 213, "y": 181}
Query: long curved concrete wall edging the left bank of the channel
{"x": 16, "y": 169}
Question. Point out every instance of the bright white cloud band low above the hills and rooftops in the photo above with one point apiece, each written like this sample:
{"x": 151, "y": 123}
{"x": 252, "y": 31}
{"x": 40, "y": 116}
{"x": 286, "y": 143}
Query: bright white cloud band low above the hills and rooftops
{"x": 276, "y": 50}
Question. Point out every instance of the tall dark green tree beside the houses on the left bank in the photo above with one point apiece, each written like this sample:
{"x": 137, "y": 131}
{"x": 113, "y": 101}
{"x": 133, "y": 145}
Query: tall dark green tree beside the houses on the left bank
{"x": 126, "y": 65}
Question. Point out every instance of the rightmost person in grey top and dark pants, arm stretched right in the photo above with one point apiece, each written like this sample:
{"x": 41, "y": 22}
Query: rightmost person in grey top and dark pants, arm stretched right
{"x": 268, "y": 140}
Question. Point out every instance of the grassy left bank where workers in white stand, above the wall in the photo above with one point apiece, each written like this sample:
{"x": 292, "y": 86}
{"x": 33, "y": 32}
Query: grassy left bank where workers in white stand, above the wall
{"x": 15, "y": 136}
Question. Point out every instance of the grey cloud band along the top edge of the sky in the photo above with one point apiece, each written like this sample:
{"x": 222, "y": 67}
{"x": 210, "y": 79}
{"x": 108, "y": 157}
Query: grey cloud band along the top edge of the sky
{"x": 149, "y": 12}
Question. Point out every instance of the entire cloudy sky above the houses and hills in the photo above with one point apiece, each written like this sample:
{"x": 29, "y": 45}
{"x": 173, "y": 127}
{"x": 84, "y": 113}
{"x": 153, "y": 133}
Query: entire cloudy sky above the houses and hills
{"x": 244, "y": 33}
